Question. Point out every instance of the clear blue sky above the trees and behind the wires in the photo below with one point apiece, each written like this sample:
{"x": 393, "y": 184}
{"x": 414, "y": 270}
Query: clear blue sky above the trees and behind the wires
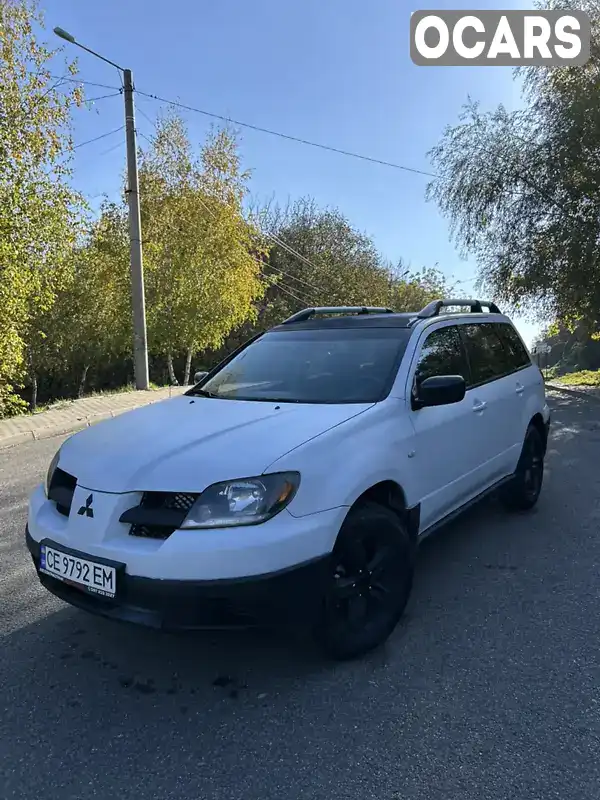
{"x": 333, "y": 72}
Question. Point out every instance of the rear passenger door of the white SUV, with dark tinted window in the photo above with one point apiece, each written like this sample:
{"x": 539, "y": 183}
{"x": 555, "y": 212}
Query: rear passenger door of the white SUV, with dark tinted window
{"x": 493, "y": 397}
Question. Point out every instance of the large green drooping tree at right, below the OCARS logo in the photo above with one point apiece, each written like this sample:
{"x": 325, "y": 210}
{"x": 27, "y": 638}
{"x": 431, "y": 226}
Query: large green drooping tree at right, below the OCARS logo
{"x": 521, "y": 191}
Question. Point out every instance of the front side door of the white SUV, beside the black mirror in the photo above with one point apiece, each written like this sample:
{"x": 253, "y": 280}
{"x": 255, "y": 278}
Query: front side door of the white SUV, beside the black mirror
{"x": 451, "y": 445}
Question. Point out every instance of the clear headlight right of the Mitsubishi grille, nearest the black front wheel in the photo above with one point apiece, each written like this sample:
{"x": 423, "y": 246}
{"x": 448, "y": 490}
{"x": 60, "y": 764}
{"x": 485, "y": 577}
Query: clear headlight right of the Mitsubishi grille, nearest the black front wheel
{"x": 247, "y": 501}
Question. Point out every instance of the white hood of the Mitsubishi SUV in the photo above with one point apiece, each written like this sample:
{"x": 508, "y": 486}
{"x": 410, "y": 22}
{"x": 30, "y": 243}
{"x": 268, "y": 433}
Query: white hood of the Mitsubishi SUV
{"x": 184, "y": 444}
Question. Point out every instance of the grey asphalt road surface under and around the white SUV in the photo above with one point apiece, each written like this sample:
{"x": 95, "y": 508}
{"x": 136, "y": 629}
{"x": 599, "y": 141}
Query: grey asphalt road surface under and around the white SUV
{"x": 489, "y": 689}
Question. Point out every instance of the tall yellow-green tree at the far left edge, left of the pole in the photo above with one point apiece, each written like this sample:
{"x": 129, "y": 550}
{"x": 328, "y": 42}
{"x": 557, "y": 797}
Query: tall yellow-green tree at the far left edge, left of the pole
{"x": 38, "y": 210}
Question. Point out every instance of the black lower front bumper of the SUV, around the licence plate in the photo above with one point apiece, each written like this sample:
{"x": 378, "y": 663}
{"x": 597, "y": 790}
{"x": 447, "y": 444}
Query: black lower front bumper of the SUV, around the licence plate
{"x": 286, "y": 597}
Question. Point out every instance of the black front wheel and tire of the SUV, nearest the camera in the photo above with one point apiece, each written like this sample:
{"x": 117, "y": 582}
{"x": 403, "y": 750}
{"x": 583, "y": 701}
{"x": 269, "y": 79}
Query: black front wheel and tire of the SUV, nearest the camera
{"x": 369, "y": 585}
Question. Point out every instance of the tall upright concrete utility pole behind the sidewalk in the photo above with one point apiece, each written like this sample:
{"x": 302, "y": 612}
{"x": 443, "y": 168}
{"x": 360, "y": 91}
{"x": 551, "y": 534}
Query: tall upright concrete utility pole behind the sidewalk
{"x": 138, "y": 303}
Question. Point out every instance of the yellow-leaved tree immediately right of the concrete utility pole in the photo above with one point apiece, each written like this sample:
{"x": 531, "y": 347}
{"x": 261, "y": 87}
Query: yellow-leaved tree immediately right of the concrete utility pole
{"x": 202, "y": 254}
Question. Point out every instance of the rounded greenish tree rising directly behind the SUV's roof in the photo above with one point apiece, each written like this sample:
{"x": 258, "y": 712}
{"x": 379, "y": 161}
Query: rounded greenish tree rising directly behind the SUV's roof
{"x": 317, "y": 258}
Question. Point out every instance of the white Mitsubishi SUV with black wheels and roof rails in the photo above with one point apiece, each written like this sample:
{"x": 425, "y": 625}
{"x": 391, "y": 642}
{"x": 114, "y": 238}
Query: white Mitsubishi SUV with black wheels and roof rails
{"x": 294, "y": 482}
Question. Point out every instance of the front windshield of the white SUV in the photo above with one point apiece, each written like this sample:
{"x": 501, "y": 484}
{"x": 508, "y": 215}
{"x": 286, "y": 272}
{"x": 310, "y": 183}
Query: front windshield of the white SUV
{"x": 312, "y": 366}
